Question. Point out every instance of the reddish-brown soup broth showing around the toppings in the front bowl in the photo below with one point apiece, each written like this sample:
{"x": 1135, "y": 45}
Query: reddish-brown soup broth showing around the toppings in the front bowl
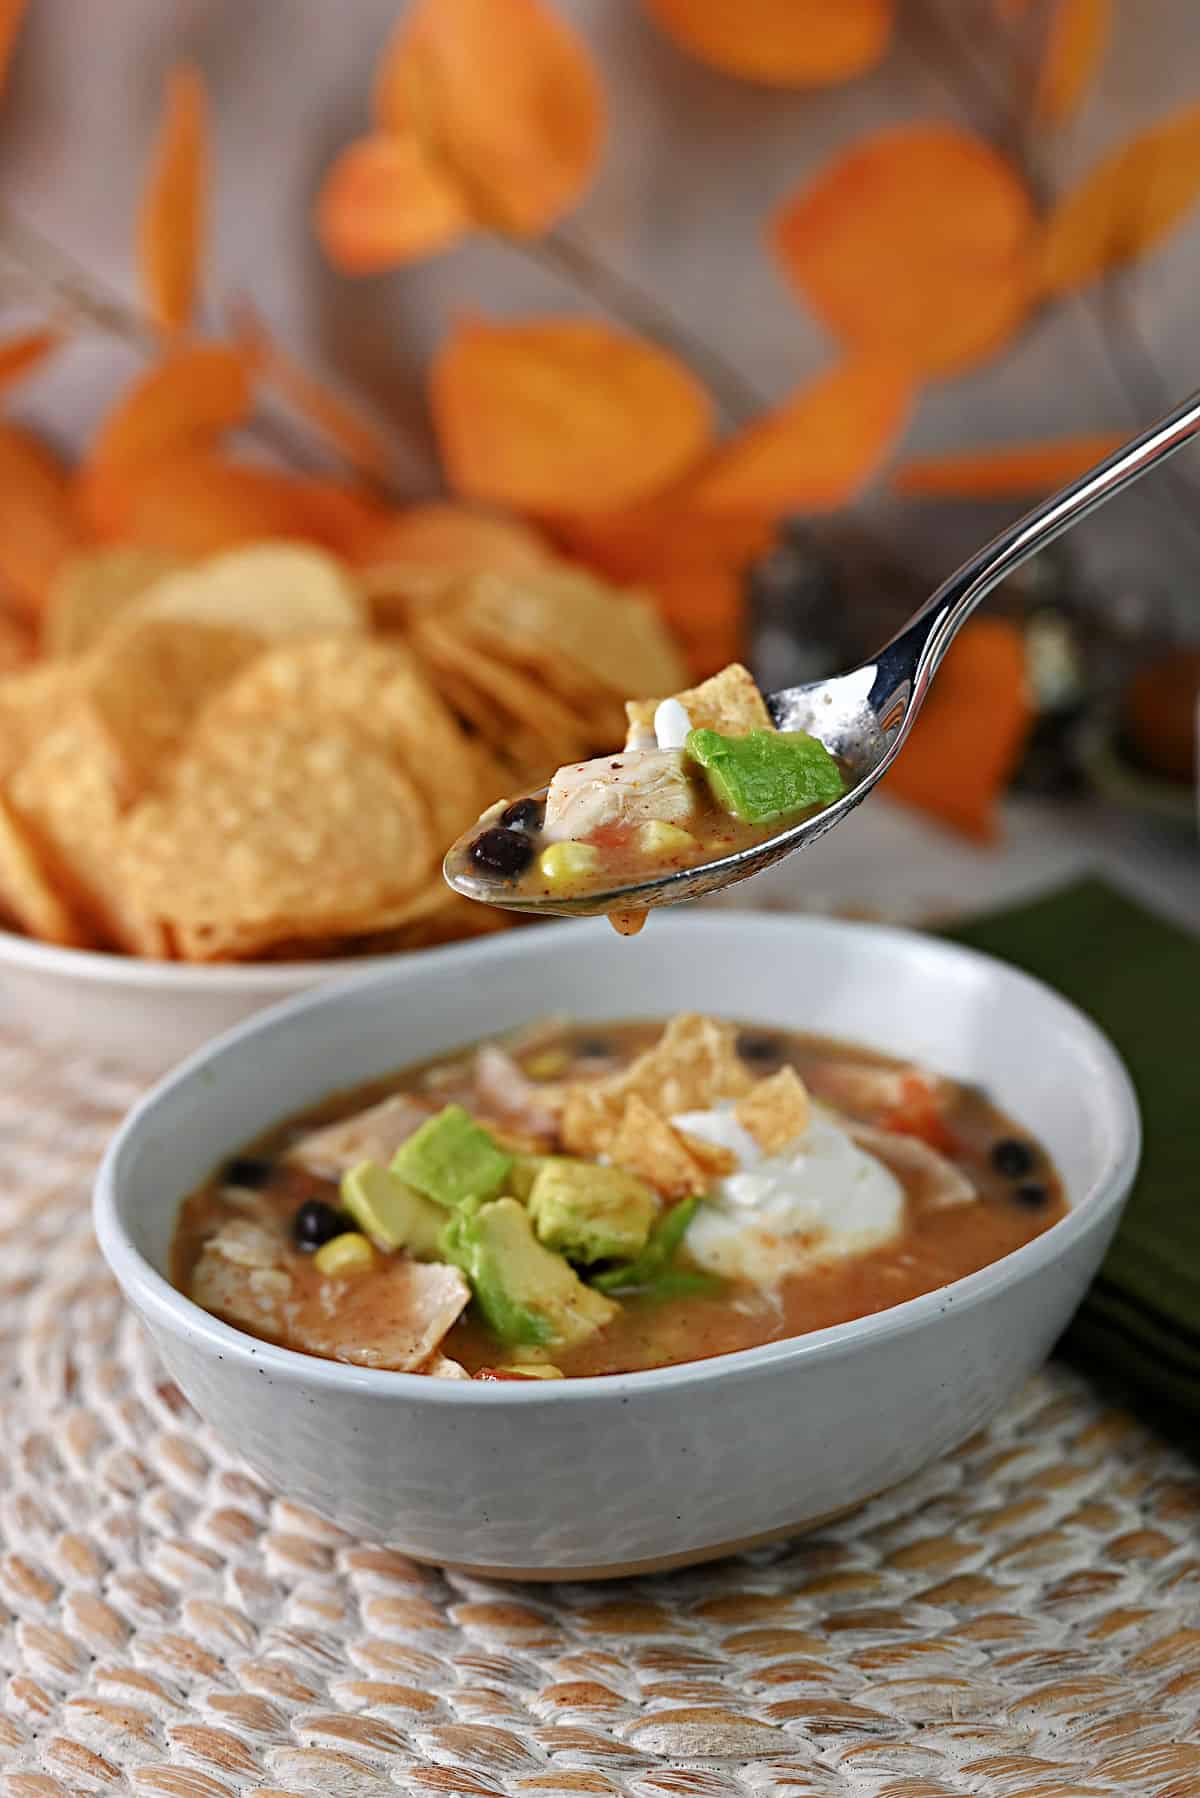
{"x": 1019, "y": 1197}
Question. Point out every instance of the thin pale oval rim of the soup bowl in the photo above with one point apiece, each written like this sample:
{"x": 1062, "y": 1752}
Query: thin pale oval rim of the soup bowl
{"x": 170, "y": 1310}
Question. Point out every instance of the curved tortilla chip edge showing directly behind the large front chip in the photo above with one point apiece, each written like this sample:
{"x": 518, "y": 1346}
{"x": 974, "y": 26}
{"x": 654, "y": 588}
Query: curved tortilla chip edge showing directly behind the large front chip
{"x": 382, "y": 693}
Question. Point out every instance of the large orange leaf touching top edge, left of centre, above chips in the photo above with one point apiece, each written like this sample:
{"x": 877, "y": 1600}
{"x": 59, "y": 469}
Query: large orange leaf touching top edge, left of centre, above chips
{"x": 506, "y": 100}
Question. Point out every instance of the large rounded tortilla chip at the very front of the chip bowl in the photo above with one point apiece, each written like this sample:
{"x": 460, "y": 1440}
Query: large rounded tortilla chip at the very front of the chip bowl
{"x": 276, "y": 832}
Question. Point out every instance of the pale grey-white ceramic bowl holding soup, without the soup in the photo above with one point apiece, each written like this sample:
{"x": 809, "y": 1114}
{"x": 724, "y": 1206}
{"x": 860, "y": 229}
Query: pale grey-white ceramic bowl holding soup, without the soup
{"x": 598, "y": 1477}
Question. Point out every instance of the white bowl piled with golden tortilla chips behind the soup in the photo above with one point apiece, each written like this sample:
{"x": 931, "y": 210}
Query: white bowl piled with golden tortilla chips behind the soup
{"x": 231, "y": 779}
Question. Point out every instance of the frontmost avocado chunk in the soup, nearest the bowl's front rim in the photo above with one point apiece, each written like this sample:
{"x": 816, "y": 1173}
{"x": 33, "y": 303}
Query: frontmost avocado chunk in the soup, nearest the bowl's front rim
{"x": 526, "y": 1294}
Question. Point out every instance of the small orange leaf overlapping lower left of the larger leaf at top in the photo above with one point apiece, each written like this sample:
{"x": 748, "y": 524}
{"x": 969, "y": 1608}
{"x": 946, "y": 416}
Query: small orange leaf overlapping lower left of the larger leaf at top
{"x": 388, "y": 202}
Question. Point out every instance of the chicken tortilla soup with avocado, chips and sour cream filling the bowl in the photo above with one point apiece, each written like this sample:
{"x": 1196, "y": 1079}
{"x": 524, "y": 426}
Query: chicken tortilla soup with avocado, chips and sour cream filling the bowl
{"x": 598, "y": 1200}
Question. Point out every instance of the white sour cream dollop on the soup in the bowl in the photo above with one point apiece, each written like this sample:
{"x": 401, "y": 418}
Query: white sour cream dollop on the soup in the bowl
{"x": 819, "y": 1200}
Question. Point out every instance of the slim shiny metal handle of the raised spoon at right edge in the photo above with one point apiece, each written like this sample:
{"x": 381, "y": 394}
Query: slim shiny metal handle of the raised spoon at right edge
{"x": 918, "y": 648}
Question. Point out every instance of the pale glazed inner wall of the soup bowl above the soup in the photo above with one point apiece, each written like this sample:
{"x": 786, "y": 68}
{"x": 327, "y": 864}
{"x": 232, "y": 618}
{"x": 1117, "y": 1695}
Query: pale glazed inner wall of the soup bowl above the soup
{"x": 893, "y": 992}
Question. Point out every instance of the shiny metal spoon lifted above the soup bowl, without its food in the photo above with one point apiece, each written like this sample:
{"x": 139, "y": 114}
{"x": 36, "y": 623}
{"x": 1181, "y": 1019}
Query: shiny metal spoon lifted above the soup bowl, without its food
{"x": 864, "y": 717}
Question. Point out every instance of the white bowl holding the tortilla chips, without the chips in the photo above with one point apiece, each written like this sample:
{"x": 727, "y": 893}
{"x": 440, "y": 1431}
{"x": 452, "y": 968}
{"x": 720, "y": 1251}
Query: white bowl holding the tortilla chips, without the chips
{"x": 141, "y": 1013}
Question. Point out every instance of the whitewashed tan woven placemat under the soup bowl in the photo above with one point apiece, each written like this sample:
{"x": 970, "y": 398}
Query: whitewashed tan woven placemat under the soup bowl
{"x": 1021, "y": 1621}
